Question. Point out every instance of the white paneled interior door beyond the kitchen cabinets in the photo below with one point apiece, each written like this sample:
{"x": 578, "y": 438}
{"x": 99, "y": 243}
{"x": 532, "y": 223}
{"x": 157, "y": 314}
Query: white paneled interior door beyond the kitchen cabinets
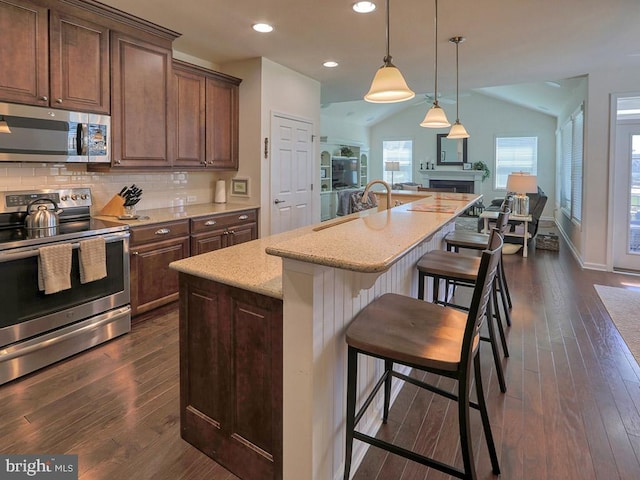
{"x": 292, "y": 169}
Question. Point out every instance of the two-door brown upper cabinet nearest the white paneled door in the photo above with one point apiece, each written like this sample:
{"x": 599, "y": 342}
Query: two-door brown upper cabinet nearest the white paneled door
{"x": 206, "y": 118}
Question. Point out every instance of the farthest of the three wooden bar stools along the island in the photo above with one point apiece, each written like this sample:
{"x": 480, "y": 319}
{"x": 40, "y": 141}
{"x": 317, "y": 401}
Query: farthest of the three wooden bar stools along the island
{"x": 478, "y": 241}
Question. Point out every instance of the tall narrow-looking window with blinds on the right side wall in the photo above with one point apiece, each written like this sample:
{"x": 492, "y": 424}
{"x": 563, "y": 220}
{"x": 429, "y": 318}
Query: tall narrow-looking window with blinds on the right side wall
{"x": 571, "y": 158}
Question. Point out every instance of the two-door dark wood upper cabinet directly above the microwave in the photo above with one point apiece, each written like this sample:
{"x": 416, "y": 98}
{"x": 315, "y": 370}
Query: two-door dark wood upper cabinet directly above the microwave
{"x": 57, "y": 60}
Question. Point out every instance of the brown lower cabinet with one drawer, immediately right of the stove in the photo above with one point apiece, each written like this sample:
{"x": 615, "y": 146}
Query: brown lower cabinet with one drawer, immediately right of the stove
{"x": 153, "y": 248}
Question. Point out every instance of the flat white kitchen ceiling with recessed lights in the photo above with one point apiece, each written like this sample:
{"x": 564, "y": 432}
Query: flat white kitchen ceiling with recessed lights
{"x": 508, "y": 42}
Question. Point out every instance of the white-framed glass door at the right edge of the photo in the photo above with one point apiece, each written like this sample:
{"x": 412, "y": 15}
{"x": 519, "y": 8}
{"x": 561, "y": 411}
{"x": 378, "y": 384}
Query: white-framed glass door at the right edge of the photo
{"x": 626, "y": 198}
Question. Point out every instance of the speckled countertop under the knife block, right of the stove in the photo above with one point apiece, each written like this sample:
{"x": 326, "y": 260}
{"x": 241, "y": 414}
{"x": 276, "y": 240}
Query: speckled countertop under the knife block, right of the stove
{"x": 158, "y": 215}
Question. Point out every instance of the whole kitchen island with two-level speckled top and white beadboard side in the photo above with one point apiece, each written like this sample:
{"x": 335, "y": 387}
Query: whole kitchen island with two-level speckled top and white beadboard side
{"x": 263, "y": 356}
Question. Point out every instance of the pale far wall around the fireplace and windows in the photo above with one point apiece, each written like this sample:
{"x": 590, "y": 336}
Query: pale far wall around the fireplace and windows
{"x": 484, "y": 118}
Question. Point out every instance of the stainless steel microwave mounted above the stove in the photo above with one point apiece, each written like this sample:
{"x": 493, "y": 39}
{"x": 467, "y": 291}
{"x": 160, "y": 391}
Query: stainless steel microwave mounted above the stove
{"x": 40, "y": 134}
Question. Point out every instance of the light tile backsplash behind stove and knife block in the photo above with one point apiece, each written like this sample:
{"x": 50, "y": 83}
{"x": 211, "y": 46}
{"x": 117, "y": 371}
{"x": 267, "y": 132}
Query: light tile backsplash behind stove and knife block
{"x": 160, "y": 189}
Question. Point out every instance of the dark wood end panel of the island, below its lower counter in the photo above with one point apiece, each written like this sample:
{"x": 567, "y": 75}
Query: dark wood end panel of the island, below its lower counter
{"x": 231, "y": 376}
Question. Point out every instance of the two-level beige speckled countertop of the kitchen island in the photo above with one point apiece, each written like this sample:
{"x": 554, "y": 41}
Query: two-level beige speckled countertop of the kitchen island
{"x": 368, "y": 241}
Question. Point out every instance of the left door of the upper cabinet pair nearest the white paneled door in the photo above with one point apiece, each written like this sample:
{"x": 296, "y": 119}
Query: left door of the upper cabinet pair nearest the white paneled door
{"x": 189, "y": 97}
